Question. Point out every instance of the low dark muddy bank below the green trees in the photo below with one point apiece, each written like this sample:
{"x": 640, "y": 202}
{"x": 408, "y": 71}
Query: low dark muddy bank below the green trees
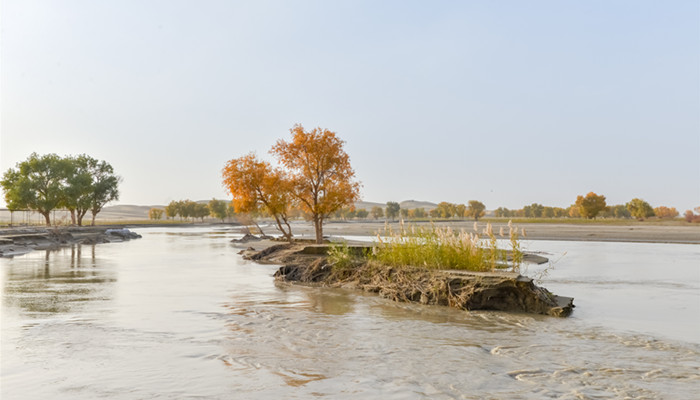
{"x": 19, "y": 241}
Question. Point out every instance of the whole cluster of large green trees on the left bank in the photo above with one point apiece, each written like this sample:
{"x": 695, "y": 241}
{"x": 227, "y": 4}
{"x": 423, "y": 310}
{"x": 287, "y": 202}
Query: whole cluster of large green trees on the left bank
{"x": 44, "y": 183}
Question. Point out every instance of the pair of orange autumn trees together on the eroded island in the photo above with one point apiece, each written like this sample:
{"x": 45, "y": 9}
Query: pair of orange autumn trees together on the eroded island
{"x": 316, "y": 178}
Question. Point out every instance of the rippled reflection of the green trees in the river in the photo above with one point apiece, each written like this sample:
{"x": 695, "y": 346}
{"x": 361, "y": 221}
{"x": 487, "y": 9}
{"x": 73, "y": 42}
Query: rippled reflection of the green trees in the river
{"x": 55, "y": 281}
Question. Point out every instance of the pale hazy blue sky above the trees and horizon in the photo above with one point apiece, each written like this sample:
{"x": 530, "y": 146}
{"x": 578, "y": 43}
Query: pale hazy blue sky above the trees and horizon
{"x": 507, "y": 102}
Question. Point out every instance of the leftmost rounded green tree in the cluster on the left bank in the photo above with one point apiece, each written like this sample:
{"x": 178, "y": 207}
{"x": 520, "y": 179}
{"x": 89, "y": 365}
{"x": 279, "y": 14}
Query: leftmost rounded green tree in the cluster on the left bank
{"x": 38, "y": 183}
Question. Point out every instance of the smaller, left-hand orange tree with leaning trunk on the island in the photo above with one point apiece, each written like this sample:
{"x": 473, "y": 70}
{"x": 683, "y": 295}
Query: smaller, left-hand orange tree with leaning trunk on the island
{"x": 256, "y": 186}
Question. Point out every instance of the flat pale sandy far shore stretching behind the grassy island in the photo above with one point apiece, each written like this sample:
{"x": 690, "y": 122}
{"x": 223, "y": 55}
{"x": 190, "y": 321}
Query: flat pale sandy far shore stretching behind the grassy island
{"x": 604, "y": 233}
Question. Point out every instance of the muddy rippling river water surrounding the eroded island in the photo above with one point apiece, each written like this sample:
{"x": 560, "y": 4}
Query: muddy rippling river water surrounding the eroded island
{"x": 177, "y": 315}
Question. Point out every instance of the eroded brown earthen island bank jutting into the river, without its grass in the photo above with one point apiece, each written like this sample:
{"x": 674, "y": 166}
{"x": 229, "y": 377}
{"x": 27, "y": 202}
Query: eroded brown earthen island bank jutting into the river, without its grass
{"x": 502, "y": 291}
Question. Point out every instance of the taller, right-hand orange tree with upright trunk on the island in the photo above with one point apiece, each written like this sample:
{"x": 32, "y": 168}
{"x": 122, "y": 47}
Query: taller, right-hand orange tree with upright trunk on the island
{"x": 322, "y": 179}
